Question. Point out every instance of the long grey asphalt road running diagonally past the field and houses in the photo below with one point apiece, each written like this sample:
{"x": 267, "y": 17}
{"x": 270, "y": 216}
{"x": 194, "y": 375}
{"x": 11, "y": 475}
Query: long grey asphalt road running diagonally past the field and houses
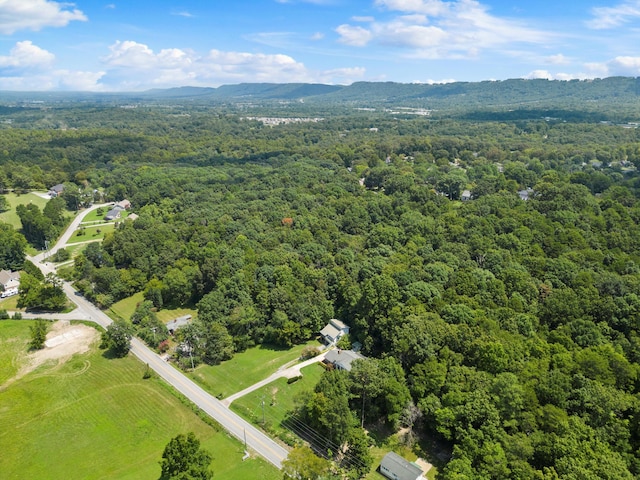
{"x": 255, "y": 439}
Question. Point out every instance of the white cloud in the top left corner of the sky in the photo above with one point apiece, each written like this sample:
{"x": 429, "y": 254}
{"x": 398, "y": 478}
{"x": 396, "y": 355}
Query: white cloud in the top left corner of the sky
{"x": 35, "y": 15}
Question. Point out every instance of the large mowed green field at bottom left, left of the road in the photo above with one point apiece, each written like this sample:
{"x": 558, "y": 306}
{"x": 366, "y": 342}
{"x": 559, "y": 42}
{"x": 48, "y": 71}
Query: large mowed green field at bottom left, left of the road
{"x": 97, "y": 418}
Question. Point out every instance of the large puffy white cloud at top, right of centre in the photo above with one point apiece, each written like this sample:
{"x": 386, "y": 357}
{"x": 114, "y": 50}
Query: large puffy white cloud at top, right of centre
{"x": 441, "y": 29}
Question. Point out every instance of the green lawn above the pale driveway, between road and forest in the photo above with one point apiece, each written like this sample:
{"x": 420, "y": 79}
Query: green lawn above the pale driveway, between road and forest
{"x": 245, "y": 368}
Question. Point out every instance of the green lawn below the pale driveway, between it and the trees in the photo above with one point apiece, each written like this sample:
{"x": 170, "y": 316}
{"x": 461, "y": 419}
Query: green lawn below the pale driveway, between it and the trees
{"x": 279, "y": 398}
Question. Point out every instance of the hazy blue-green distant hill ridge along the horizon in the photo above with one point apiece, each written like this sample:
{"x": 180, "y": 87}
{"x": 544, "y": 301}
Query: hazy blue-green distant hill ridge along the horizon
{"x": 619, "y": 96}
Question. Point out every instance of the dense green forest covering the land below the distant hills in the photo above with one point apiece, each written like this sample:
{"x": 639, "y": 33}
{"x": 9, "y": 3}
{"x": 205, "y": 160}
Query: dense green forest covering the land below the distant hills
{"x": 489, "y": 269}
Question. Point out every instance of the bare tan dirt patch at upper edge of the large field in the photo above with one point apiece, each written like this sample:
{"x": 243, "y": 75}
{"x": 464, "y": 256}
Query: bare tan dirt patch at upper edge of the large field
{"x": 63, "y": 341}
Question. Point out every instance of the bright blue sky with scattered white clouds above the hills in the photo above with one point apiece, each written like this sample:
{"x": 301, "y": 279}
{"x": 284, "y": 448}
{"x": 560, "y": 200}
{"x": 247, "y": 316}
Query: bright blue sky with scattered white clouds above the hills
{"x": 134, "y": 45}
